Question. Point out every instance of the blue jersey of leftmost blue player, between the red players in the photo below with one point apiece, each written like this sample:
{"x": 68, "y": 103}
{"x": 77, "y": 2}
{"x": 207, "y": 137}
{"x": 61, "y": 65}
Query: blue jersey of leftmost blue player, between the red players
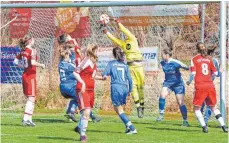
{"x": 66, "y": 70}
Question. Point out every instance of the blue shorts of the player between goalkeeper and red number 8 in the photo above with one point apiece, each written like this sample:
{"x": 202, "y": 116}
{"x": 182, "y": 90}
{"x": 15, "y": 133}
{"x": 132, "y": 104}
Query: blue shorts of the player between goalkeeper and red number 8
{"x": 177, "y": 88}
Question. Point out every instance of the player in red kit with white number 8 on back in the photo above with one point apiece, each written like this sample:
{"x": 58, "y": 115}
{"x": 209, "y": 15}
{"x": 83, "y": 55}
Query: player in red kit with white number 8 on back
{"x": 203, "y": 68}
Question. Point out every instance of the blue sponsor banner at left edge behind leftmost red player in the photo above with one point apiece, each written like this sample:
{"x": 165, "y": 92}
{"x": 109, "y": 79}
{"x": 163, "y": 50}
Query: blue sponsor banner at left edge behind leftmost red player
{"x": 9, "y": 72}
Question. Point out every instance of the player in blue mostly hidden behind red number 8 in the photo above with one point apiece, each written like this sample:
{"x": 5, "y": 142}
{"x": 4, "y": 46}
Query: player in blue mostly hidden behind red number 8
{"x": 208, "y": 111}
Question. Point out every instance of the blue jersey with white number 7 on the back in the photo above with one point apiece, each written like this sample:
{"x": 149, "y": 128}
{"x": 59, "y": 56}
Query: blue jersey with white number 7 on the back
{"x": 119, "y": 73}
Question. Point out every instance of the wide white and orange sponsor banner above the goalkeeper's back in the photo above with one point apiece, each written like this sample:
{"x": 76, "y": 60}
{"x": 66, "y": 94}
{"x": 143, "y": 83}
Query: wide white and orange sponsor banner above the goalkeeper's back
{"x": 169, "y": 15}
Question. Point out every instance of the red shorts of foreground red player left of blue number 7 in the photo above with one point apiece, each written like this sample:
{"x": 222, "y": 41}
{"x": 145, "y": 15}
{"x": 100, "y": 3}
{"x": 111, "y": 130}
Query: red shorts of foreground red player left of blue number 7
{"x": 86, "y": 100}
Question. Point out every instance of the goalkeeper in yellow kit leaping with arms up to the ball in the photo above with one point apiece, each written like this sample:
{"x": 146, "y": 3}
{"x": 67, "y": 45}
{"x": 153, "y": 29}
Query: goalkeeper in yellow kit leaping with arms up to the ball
{"x": 134, "y": 60}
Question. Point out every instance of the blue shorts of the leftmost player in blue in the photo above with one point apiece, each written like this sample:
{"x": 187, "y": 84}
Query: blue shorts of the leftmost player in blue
{"x": 68, "y": 90}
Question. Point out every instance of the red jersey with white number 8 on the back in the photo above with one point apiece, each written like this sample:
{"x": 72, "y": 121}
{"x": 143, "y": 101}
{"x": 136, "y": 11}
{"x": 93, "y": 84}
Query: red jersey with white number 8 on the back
{"x": 203, "y": 68}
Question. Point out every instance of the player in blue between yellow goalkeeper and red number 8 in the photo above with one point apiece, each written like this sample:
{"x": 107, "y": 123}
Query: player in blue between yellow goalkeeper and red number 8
{"x": 173, "y": 82}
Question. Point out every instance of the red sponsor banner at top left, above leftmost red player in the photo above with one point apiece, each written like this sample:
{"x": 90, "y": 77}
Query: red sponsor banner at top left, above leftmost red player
{"x": 19, "y": 27}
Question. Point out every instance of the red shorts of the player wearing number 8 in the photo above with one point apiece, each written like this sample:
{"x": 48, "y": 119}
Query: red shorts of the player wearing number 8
{"x": 207, "y": 95}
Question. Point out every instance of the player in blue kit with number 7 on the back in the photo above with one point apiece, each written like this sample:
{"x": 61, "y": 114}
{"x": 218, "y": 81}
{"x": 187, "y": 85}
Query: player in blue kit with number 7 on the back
{"x": 121, "y": 86}
